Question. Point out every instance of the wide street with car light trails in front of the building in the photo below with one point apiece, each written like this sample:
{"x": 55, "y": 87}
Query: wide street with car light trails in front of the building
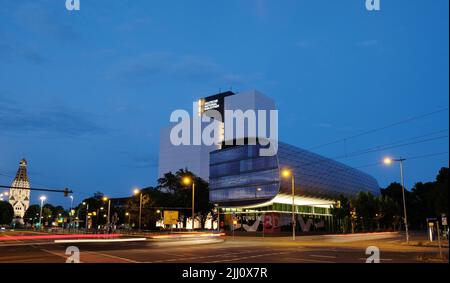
{"x": 306, "y": 249}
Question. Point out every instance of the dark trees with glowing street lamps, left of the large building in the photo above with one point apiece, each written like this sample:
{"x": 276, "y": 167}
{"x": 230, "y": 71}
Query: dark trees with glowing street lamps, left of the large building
{"x": 169, "y": 194}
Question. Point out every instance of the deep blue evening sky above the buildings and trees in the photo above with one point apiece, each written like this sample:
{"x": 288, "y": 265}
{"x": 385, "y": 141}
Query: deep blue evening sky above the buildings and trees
{"x": 83, "y": 94}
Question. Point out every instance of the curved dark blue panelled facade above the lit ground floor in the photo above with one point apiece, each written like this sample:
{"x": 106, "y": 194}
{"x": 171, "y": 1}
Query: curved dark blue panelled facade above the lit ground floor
{"x": 238, "y": 175}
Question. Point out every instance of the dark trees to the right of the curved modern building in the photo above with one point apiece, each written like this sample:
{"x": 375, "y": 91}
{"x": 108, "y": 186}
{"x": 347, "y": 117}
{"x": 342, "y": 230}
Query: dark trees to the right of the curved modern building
{"x": 365, "y": 212}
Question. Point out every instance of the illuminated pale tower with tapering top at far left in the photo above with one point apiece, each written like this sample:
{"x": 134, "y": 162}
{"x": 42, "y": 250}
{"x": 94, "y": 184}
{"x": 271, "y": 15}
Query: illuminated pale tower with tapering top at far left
{"x": 20, "y": 198}
